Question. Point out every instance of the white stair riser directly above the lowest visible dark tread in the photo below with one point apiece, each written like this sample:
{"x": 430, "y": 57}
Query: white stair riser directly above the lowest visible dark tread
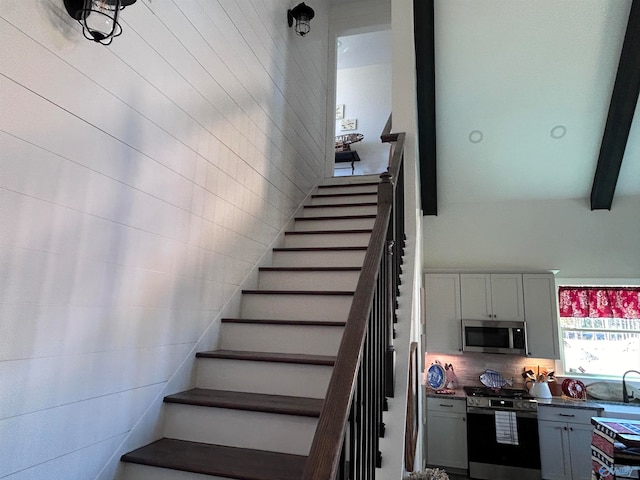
{"x": 240, "y": 428}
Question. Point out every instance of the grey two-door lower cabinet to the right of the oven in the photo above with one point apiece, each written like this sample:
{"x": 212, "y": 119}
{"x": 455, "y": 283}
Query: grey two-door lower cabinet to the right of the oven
{"x": 565, "y": 442}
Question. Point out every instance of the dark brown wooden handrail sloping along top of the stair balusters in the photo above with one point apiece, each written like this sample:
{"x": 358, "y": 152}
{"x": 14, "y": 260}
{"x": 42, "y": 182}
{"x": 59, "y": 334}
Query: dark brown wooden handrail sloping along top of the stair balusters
{"x": 323, "y": 462}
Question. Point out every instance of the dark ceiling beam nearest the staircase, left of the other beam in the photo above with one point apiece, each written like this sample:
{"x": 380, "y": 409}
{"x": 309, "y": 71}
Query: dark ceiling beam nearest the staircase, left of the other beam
{"x": 424, "y": 31}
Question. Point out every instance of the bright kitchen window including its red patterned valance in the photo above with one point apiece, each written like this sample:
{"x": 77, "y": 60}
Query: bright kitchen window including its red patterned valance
{"x": 600, "y": 330}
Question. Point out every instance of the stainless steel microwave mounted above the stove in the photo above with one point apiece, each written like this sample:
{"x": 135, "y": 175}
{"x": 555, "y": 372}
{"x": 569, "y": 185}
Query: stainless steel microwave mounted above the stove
{"x": 491, "y": 336}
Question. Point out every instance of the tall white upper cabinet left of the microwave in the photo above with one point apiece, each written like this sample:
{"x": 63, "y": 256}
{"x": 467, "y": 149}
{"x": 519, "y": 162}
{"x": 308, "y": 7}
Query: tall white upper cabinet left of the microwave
{"x": 442, "y": 312}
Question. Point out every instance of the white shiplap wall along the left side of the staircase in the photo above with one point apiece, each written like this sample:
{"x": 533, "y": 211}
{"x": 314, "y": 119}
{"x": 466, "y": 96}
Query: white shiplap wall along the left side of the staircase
{"x": 139, "y": 185}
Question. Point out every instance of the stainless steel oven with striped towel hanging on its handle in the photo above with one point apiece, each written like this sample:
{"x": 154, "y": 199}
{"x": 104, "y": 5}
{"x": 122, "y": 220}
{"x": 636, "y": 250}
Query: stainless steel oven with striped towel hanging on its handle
{"x": 502, "y": 434}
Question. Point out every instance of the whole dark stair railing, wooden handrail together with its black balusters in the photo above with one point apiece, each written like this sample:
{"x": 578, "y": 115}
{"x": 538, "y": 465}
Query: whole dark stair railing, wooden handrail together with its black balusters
{"x": 346, "y": 442}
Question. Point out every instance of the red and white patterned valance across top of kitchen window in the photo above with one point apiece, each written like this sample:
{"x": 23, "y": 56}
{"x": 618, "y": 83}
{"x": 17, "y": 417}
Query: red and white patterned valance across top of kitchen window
{"x": 596, "y": 302}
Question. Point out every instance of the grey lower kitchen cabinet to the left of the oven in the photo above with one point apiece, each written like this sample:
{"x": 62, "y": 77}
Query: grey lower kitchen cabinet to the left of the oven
{"x": 447, "y": 433}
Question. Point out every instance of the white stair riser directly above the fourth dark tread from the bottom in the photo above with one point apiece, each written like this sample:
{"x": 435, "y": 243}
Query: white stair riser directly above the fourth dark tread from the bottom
{"x": 296, "y": 307}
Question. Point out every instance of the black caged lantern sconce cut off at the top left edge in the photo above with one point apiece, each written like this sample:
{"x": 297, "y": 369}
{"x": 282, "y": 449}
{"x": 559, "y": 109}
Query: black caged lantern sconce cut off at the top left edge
{"x": 99, "y": 18}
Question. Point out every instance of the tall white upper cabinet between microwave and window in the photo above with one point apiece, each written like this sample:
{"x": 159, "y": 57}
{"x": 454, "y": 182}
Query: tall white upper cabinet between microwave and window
{"x": 541, "y": 315}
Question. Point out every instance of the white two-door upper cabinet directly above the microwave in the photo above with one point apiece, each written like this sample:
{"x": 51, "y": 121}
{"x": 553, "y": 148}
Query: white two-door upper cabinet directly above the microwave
{"x": 492, "y": 296}
